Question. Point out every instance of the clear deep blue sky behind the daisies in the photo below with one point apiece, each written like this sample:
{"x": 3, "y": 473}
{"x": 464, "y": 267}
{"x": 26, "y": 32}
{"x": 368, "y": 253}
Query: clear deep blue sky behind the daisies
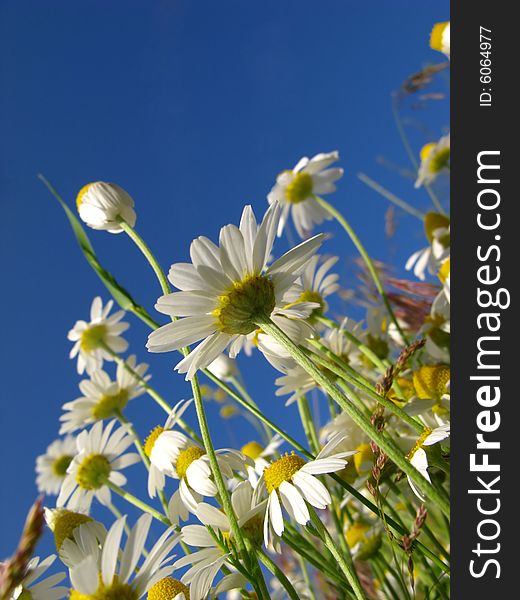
{"x": 193, "y": 107}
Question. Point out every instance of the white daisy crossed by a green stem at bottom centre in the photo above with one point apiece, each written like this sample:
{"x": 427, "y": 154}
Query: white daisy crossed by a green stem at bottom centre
{"x": 207, "y": 562}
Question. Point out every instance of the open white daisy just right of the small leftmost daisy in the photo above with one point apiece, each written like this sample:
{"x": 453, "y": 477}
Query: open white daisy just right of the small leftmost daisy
{"x": 101, "y": 454}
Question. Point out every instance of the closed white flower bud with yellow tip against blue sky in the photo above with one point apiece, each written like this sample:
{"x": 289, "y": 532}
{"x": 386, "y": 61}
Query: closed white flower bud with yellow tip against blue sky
{"x": 100, "y": 205}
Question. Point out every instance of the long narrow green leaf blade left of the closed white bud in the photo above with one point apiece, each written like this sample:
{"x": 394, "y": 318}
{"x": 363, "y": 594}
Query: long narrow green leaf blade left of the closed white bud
{"x": 118, "y": 292}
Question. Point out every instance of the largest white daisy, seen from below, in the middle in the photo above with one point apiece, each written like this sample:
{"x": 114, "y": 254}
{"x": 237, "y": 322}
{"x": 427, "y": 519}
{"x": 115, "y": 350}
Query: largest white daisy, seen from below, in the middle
{"x": 226, "y": 289}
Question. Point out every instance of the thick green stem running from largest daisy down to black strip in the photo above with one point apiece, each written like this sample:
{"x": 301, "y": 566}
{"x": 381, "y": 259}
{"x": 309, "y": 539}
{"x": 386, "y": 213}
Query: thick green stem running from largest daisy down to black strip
{"x": 387, "y": 445}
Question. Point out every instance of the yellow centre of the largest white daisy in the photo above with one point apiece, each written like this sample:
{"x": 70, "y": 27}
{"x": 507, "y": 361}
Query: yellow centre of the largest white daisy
{"x": 243, "y": 303}
